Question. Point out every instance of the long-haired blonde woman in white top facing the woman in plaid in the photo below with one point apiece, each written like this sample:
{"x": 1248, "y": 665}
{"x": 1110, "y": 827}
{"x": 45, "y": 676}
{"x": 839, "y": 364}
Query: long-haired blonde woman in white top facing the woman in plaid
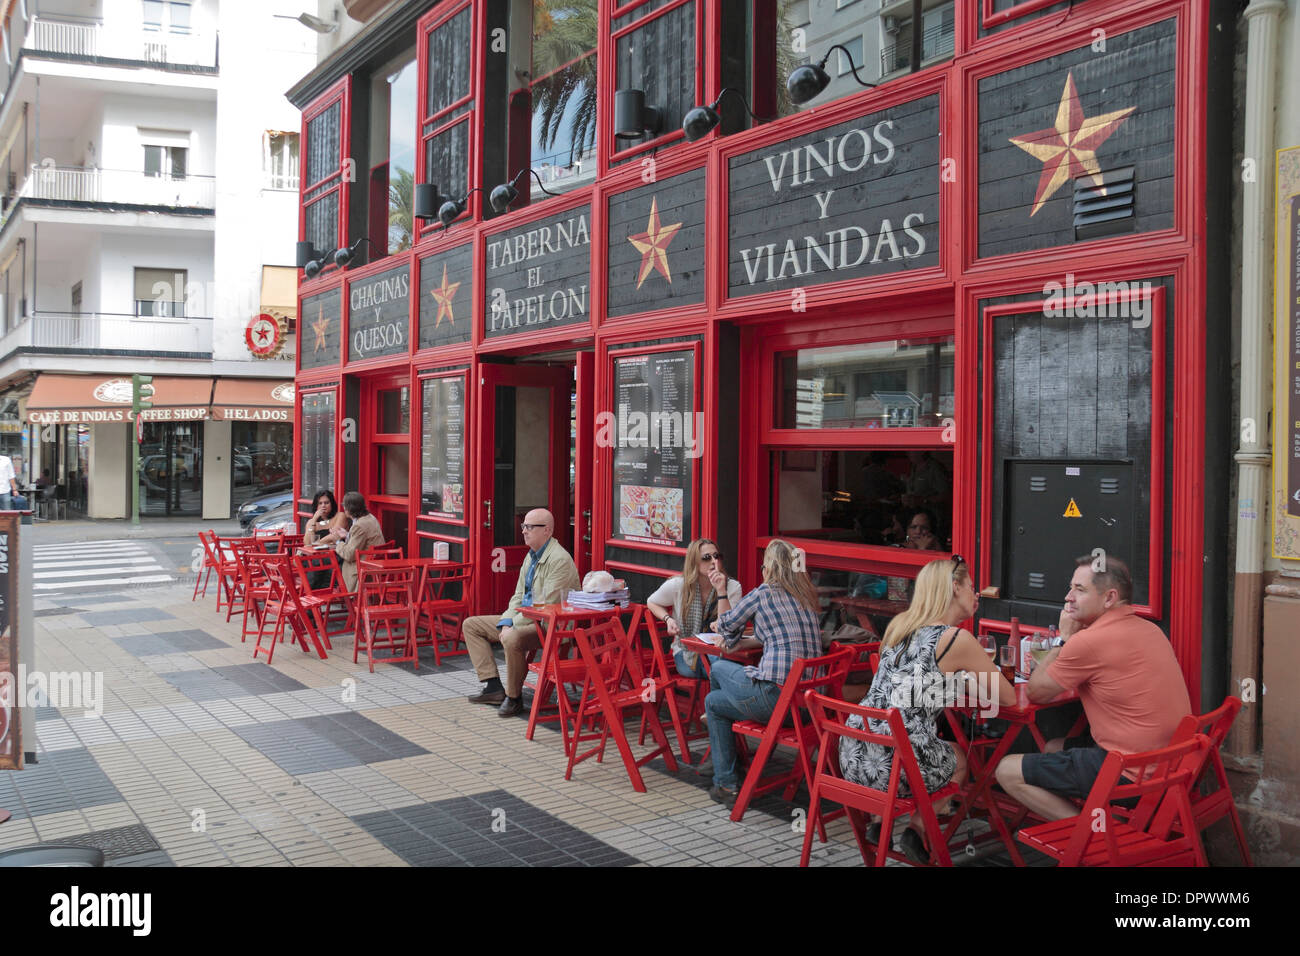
{"x": 686, "y": 604}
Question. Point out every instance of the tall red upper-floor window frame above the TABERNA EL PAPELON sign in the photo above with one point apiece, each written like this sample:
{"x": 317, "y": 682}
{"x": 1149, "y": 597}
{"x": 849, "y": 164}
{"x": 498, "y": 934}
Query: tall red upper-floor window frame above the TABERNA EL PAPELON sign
{"x": 445, "y": 119}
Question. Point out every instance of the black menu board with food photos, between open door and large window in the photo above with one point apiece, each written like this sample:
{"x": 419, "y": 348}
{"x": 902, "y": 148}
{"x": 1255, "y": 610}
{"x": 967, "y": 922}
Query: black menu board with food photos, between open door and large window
{"x": 657, "y": 439}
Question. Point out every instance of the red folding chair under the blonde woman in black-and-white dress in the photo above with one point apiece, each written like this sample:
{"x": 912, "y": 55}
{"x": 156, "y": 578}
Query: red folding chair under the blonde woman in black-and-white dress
{"x": 829, "y": 784}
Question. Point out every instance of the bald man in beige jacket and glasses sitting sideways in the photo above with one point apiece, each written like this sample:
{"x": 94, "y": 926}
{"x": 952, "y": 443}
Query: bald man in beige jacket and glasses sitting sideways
{"x": 548, "y": 574}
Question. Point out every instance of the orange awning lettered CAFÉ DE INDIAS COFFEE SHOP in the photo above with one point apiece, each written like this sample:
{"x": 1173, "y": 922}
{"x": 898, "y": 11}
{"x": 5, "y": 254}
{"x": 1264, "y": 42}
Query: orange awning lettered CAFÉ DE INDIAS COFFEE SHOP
{"x": 59, "y": 400}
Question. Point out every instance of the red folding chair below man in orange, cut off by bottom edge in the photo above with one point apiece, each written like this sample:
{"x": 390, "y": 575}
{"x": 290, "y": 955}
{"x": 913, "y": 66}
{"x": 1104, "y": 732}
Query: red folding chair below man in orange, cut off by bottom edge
{"x": 1159, "y": 832}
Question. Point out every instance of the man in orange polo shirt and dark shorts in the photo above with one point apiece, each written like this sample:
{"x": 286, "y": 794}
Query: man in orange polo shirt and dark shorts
{"x": 1129, "y": 682}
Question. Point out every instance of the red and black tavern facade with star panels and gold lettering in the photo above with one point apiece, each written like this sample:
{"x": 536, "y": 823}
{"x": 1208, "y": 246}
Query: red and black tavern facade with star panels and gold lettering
{"x": 985, "y": 289}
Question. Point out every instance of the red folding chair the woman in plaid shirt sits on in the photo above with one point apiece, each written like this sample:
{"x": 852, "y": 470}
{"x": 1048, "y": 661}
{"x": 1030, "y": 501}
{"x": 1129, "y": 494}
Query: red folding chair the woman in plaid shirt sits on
{"x": 808, "y": 674}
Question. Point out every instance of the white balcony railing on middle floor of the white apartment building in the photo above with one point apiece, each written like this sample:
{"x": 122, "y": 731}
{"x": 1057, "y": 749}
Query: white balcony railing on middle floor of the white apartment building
{"x": 77, "y": 184}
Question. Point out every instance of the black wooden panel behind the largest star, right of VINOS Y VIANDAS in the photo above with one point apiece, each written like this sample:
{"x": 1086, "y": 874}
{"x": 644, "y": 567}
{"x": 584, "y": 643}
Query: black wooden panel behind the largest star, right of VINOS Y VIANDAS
{"x": 1137, "y": 72}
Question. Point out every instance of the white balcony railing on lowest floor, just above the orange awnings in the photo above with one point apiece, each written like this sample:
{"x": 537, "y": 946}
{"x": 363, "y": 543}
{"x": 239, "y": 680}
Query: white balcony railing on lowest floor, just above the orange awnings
{"x": 107, "y": 331}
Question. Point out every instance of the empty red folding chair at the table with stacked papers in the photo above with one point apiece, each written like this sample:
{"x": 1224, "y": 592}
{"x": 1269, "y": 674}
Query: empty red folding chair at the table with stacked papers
{"x": 614, "y": 684}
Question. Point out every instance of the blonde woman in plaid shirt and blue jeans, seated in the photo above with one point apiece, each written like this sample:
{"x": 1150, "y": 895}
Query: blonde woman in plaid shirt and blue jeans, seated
{"x": 785, "y": 611}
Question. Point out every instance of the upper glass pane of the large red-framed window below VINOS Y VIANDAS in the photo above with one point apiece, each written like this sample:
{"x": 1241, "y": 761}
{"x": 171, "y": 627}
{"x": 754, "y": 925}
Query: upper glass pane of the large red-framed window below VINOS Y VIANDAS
{"x": 892, "y": 384}
